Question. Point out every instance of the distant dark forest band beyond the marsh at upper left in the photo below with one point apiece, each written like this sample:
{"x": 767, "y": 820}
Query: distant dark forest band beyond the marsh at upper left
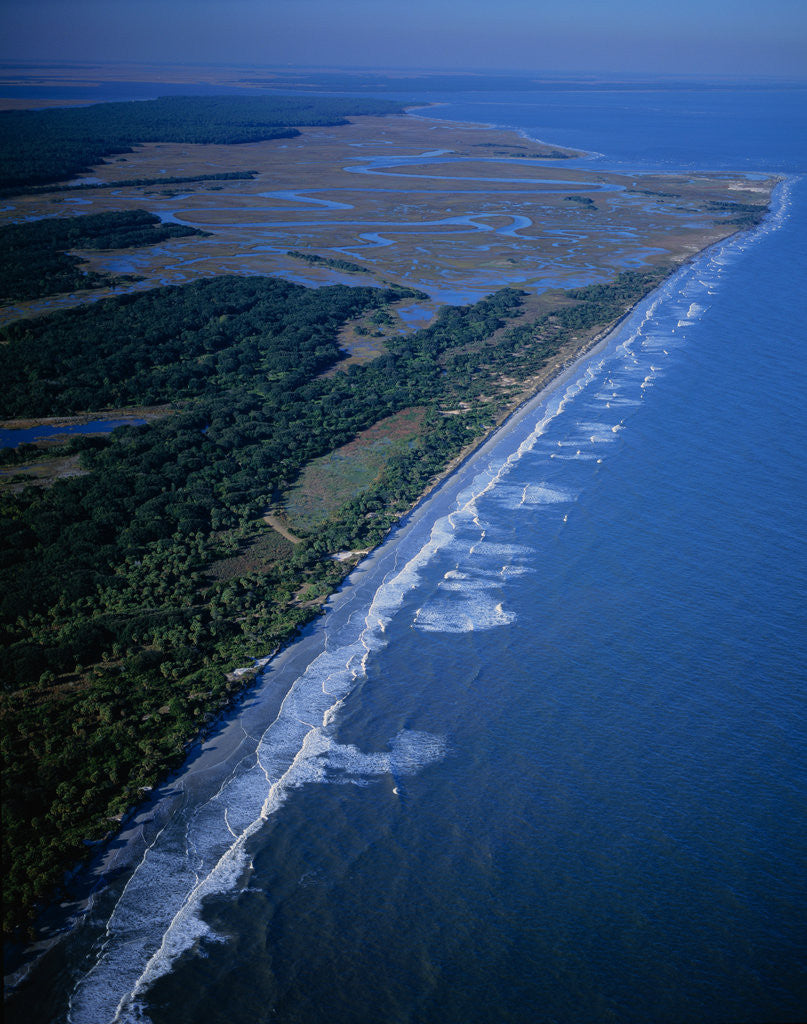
{"x": 40, "y": 147}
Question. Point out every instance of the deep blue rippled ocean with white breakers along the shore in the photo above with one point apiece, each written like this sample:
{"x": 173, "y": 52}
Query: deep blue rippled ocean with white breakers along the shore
{"x": 545, "y": 758}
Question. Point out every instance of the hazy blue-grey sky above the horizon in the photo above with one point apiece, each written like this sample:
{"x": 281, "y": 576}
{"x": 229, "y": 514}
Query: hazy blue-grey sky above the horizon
{"x": 736, "y": 37}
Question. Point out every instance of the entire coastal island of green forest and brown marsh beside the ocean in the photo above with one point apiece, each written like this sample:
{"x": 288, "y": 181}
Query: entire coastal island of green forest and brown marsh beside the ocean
{"x": 313, "y": 323}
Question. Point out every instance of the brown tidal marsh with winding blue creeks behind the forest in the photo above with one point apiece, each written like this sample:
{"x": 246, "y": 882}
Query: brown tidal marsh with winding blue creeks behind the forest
{"x": 454, "y": 210}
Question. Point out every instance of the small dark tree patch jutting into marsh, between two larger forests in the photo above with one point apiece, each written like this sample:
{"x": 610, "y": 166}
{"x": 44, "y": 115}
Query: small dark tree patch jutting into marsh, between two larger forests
{"x": 34, "y": 264}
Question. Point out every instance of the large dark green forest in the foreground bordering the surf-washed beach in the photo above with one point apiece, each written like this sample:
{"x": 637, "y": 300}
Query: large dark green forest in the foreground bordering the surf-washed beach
{"x": 129, "y": 592}
